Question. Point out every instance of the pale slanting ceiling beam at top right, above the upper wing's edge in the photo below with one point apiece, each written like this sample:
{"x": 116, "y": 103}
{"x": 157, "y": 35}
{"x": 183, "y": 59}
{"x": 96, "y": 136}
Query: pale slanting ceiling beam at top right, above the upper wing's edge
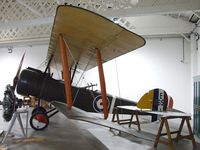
{"x": 149, "y": 9}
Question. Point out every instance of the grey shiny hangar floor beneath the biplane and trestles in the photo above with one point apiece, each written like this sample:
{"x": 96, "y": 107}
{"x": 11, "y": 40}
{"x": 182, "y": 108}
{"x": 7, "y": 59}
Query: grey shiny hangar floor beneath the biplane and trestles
{"x": 63, "y": 134}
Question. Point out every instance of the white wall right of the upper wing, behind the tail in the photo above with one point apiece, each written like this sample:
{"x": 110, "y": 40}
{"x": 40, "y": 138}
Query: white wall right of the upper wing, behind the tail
{"x": 159, "y": 64}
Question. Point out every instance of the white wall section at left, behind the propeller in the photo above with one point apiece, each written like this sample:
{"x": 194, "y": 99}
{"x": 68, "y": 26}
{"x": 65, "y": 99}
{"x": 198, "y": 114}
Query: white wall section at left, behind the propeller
{"x": 9, "y": 62}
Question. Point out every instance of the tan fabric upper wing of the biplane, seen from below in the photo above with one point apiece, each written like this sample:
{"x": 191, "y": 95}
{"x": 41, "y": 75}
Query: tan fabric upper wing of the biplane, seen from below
{"x": 84, "y": 31}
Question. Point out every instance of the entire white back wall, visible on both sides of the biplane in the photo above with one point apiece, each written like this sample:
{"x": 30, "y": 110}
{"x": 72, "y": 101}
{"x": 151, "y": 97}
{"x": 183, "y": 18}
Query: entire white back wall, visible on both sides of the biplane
{"x": 156, "y": 65}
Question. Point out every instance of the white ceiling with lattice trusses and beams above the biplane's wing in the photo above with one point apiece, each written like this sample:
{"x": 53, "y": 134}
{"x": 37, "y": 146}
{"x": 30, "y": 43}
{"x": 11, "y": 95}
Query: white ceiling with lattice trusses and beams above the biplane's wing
{"x": 30, "y": 21}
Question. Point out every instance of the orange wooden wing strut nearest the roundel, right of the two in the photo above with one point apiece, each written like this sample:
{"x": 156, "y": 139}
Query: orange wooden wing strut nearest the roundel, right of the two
{"x": 102, "y": 83}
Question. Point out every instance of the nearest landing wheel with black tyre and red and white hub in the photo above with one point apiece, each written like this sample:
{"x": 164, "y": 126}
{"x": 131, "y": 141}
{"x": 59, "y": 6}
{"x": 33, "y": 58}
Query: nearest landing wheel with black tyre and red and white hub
{"x": 39, "y": 121}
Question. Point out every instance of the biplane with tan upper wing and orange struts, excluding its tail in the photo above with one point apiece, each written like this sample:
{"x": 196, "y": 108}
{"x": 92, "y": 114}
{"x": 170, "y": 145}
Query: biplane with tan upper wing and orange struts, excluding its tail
{"x": 80, "y": 39}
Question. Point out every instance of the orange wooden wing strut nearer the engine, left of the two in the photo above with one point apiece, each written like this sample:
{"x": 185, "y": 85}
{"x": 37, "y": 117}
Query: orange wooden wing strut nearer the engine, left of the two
{"x": 66, "y": 72}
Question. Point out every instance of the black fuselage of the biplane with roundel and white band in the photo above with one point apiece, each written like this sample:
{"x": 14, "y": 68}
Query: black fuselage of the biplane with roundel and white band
{"x": 35, "y": 83}
